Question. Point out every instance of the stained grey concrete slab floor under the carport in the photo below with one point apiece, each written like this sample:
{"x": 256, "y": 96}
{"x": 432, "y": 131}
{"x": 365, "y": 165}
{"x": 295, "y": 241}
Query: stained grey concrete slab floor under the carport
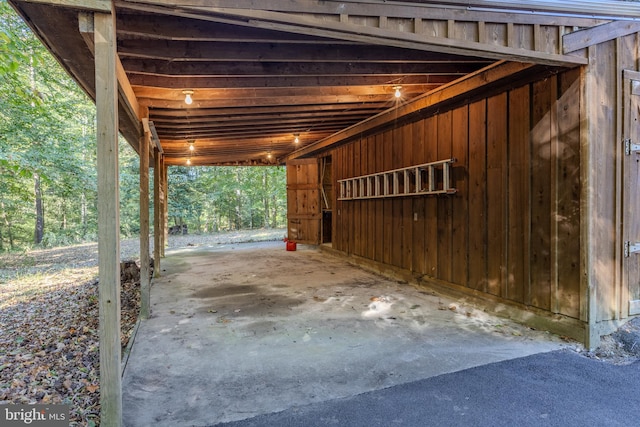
{"x": 247, "y": 329}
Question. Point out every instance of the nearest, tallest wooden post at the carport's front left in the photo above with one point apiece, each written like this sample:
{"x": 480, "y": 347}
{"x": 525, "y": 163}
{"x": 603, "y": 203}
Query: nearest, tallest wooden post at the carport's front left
{"x": 108, "y": 219}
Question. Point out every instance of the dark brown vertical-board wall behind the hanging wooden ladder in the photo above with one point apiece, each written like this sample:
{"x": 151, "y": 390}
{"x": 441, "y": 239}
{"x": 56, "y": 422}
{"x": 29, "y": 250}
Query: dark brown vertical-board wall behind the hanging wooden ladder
{"x": 513, "y": 228}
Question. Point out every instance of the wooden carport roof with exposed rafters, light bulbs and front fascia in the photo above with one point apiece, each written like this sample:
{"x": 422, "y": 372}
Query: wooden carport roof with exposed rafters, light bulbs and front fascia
{"x": 262, "y": 70}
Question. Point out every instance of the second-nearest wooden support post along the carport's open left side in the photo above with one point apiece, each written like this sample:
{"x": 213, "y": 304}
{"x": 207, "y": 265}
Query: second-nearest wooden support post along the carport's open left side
{"x": 145, "y": 284}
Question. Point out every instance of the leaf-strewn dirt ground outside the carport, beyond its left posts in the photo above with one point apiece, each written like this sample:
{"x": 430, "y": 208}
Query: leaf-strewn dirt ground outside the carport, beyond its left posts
{"x": 49, "y": 350}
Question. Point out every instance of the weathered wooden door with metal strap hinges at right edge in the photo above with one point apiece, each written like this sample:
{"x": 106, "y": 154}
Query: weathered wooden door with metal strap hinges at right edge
{"x": 631, "y": 192}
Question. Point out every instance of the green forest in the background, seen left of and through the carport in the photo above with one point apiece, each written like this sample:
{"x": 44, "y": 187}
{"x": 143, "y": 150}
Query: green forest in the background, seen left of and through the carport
{"x": 48, "y": 191}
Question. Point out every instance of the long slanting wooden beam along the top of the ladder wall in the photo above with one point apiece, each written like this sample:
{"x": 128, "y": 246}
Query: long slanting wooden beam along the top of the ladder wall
{"x": 447, "y": 94}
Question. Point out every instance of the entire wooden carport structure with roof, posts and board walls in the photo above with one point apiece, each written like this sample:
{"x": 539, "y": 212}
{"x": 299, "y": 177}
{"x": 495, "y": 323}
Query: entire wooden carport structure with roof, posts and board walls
{"x": 505, "y": 171}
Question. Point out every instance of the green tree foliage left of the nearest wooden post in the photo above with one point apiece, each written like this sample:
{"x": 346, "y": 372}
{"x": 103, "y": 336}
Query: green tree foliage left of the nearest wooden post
{"x": 47, "y": 137}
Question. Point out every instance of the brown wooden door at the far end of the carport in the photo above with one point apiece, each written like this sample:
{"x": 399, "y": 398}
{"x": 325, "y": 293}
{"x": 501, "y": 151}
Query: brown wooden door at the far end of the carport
{"x": 303, "y": 201}
